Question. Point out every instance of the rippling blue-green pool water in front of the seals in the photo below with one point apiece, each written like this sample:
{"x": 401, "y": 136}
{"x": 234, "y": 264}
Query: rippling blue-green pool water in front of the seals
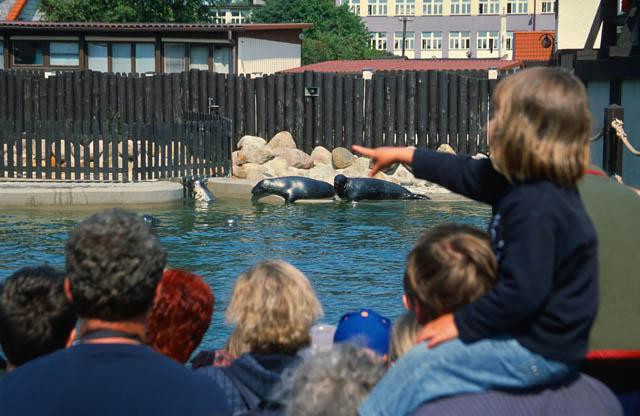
{"x": 354, "y": 254}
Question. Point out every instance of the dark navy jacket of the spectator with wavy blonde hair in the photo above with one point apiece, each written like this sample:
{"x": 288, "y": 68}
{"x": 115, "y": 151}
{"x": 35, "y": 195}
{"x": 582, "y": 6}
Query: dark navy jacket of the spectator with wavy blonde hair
{"x": 249, "y": 380}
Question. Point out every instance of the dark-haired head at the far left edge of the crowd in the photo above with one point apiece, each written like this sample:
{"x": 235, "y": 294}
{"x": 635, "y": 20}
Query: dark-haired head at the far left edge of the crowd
{"x": 36, "y": 318}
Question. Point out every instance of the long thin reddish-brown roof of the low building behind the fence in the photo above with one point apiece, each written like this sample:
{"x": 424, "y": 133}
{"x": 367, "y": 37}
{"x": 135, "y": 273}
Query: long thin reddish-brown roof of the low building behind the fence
{"x": 148, "y": 27}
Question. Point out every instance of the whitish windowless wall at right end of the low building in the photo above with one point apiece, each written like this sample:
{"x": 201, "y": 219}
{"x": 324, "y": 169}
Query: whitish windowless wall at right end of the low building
{"x": 266, "y": 56}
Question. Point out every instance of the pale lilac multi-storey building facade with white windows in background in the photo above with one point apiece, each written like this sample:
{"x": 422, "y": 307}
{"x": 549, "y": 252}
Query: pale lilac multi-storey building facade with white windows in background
{"x": 452, "y": 28}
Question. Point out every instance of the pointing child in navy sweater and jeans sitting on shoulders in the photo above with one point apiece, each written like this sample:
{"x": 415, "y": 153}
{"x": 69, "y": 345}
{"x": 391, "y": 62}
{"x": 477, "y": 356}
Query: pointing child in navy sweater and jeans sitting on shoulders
{"x": 533, "y": 327}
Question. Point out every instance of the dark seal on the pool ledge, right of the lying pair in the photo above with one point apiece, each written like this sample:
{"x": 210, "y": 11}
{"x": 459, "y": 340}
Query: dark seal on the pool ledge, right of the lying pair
{"x": 357, "y": 189}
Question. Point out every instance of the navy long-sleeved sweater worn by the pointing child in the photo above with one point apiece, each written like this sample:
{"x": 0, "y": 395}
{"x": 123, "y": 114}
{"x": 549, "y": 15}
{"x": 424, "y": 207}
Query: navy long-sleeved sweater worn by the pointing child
{"x": 546, "y": 296}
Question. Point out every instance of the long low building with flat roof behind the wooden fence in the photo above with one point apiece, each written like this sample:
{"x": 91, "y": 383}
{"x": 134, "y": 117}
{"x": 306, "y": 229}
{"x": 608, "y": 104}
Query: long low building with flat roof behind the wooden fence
{"x": 151, "y": 47}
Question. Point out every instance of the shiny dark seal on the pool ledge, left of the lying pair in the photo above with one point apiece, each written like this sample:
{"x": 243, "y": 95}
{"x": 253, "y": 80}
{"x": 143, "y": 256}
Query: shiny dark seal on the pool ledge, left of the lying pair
{"x": 292, "y": 188}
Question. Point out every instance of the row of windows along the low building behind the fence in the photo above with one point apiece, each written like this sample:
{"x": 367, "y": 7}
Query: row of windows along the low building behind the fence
{"x": 124, "y": 57}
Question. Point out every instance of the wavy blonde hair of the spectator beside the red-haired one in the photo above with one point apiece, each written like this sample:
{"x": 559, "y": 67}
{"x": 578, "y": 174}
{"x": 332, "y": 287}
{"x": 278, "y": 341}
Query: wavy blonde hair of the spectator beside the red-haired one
{"x": 273, "y": 306}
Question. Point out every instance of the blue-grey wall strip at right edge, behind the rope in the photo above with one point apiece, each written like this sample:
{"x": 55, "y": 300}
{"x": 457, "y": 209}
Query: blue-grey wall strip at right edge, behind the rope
{"x": 631, "y": 104}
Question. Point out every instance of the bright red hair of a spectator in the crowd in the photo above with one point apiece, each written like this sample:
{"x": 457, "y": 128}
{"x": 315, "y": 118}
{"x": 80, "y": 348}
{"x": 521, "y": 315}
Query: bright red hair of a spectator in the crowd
{"x": 181, "y": 314}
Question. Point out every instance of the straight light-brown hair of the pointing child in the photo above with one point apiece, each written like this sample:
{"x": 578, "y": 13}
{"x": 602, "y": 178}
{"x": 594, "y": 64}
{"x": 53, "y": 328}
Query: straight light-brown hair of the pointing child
{"x": 541, "y": 127}
